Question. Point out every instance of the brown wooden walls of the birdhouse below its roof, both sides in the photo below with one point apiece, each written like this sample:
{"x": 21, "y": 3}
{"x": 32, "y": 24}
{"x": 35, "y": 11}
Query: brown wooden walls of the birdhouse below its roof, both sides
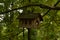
{"x": 30, "y": 23}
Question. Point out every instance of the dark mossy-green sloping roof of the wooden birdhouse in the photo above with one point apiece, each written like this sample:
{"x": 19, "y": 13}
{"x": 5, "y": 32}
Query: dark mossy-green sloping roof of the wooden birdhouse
{"x": 29, "y": 16}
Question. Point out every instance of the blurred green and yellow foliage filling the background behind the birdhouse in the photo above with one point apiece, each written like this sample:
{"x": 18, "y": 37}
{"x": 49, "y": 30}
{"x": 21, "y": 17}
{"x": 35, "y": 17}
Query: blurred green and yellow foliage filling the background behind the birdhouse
{"x": 9, "y": 25}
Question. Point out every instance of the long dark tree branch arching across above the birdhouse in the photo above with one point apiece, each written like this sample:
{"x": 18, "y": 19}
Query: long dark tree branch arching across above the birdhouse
{"x": 40, "y": 5}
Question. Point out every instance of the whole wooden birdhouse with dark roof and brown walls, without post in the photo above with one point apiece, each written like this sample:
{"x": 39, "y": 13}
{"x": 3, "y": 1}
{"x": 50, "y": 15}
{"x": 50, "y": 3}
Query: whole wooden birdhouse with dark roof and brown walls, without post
{"x": 30, "y": 20}
